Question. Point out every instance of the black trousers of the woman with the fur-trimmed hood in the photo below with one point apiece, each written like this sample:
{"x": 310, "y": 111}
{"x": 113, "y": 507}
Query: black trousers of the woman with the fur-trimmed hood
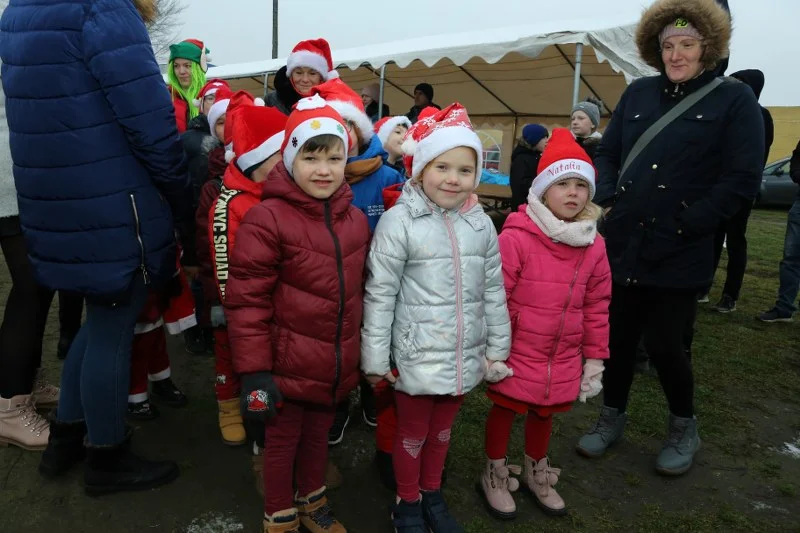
{"x": 661, "y": 316}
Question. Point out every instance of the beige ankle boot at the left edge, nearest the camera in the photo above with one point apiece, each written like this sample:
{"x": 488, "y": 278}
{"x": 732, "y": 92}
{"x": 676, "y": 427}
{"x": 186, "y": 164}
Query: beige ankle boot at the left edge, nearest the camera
{"x": 21, "y": 425}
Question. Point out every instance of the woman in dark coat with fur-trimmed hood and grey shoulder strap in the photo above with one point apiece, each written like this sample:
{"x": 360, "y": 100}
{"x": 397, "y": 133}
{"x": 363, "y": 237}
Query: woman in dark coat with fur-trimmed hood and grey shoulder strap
{"x": 664, "y": 210}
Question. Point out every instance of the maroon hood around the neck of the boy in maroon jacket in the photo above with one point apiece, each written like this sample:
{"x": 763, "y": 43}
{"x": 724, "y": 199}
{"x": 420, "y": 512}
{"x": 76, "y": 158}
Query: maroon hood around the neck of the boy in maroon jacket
{"x": 281, "y": 185}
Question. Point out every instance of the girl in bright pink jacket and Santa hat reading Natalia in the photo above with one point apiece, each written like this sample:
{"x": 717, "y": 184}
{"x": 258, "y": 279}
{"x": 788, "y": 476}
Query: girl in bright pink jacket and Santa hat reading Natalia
{"x": 558, "y": 285}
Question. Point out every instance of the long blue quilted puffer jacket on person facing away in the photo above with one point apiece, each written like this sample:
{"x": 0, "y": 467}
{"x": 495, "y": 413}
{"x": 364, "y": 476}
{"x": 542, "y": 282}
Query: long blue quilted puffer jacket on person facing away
{"x": 97, "y": 158}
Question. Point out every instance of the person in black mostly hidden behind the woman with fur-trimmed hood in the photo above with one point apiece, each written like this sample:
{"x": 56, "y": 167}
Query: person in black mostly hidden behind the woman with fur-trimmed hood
{"x": 734, "y": 231}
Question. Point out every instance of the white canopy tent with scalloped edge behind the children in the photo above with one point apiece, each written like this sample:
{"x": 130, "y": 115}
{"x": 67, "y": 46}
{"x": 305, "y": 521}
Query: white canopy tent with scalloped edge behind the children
{"x": 504, "y": 77}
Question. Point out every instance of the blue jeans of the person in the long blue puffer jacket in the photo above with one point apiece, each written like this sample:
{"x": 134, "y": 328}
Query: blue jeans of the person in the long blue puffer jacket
{"x": 96, "y": 373}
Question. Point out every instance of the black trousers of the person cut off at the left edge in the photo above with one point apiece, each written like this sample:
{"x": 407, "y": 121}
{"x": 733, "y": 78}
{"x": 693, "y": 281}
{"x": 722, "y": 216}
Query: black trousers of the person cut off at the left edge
{"x": 24, "y": 320}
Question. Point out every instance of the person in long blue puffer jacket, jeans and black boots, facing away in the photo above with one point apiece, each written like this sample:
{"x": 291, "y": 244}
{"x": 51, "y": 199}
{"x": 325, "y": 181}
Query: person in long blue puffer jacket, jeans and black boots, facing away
{"x": 100, "y": 175}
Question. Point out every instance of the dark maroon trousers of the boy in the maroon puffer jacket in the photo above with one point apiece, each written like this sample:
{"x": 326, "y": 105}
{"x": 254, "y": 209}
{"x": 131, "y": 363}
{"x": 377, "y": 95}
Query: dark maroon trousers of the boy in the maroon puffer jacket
{"x": 295, "y": 449}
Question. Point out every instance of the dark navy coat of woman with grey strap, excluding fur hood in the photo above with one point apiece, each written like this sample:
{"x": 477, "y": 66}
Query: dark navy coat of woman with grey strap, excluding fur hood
{"x": 695, "y": 174}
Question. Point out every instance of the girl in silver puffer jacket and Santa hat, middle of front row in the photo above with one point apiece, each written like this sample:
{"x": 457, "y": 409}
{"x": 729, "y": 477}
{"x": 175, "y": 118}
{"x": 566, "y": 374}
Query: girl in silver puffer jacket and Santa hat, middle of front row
{"x": 434, "y": 309}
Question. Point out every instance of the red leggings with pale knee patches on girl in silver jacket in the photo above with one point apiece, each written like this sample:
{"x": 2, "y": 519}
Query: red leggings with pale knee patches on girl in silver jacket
{"x": 422, "y": 441}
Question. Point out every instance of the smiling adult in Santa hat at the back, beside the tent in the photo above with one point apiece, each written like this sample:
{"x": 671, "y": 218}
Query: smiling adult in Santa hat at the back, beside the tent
{"x": 308, "y": 65}
